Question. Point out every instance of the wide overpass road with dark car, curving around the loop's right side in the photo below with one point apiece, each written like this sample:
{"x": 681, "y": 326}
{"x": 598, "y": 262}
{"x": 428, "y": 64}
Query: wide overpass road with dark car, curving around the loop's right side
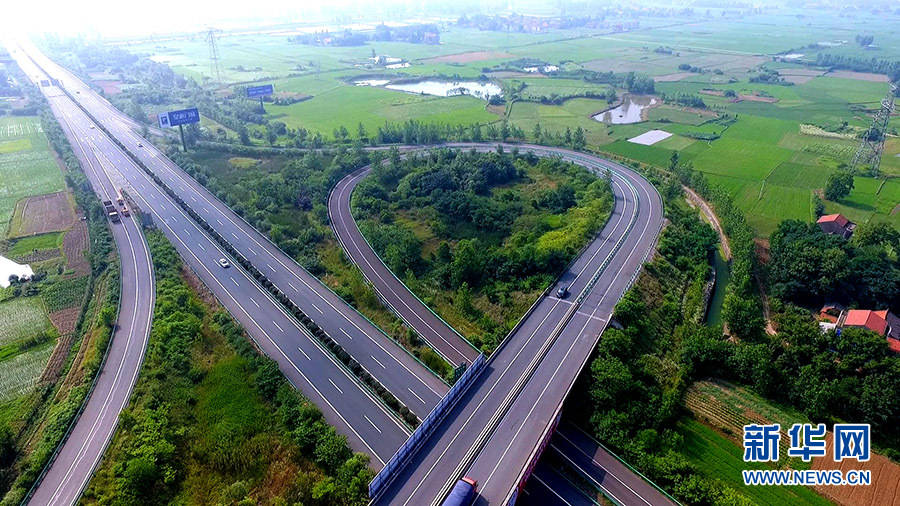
{"x": 494, "y": 431}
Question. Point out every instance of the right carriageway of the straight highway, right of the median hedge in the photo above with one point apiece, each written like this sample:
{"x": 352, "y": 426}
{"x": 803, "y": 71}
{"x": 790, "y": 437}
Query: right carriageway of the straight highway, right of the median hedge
{"x": 401, "y": 373}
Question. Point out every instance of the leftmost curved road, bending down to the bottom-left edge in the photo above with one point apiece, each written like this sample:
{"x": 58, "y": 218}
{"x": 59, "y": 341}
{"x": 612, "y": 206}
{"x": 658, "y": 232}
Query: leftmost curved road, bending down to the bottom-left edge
{"x": 81, "y": 452}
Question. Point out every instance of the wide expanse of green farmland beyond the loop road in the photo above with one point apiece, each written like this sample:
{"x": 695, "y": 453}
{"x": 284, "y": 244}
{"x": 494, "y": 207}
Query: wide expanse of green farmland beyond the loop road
{"x": 773, "y": 158}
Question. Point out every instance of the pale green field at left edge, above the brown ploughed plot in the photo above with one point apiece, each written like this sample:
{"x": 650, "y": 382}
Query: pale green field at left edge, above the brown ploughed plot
{"x": 26, "y": 165}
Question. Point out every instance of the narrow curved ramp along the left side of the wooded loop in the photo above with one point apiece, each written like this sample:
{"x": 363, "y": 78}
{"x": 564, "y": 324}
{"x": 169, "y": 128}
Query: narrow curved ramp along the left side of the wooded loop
{"x": 442, "y": 338}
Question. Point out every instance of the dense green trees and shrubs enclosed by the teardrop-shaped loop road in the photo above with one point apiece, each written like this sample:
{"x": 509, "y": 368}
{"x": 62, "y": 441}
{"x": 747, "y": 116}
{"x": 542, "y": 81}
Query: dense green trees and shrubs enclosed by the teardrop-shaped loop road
{"x": 479, "y": 236}
